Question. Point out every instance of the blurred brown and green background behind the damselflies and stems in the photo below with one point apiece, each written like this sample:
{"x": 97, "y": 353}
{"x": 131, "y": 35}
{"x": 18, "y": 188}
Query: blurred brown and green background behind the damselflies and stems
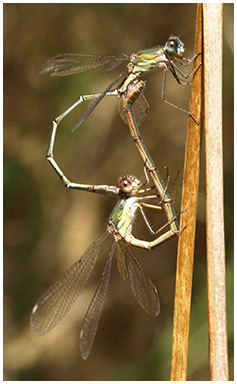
{"x": 47, "y": 228}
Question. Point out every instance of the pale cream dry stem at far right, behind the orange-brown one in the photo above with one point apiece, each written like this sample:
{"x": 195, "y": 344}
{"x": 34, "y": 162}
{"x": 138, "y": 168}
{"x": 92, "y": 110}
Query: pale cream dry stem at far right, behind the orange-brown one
{"x": 218, "y": 355}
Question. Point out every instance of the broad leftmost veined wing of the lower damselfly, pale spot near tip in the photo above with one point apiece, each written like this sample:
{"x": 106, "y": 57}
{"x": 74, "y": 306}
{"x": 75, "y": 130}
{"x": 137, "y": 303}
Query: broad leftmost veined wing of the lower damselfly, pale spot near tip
{"x": 53, "y": 305}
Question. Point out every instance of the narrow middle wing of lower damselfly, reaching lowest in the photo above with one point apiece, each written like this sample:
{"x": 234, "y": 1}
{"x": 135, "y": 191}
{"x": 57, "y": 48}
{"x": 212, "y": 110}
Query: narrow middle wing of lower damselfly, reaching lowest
{"x": 92, "y": 317}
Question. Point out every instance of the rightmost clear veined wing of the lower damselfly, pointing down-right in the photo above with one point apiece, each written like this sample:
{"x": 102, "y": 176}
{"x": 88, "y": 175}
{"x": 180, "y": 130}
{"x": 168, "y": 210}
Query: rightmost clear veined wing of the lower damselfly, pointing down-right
{"x": 143, "y": 288}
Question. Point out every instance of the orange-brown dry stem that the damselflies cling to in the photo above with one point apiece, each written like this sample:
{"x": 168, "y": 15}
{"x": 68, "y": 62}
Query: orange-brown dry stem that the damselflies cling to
{"x": 186, "y": 244}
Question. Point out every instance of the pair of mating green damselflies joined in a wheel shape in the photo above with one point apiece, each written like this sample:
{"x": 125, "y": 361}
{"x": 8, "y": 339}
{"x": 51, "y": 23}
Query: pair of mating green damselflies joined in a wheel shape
{"x": 132, "y": 194}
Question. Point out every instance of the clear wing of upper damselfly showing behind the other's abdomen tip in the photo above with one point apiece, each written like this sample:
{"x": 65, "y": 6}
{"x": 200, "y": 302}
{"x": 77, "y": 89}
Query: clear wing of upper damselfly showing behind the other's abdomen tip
{"x": 141, "y": 109}
